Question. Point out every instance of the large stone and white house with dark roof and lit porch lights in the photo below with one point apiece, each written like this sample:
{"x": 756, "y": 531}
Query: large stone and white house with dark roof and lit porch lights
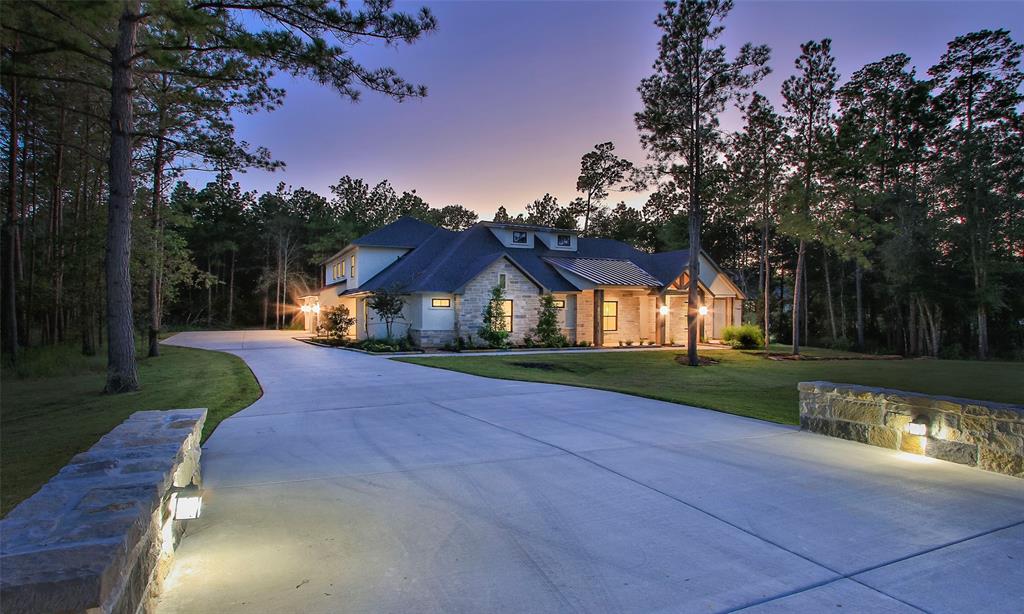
{"x": 607, "y": 292}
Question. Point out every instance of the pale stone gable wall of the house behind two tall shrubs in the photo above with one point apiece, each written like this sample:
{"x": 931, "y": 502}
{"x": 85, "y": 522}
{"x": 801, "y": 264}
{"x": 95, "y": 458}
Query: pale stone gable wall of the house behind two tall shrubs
{"x": 519, "y": 289}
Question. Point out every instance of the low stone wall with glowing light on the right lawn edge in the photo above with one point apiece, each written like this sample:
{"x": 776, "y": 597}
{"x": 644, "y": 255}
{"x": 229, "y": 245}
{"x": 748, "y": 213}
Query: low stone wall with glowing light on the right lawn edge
{"x": 982, "y": 434}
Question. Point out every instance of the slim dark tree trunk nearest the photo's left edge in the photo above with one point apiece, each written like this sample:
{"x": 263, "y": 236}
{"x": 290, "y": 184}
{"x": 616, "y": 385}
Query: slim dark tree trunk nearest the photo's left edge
{"x": 10, "y": 328}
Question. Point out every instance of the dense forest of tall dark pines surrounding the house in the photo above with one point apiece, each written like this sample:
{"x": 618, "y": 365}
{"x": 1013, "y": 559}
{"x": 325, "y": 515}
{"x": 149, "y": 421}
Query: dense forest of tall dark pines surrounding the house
{"x": 880, "y": 210}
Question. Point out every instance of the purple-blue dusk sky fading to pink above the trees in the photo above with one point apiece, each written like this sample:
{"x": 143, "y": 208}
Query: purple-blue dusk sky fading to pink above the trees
{"x": 520, "y": 92}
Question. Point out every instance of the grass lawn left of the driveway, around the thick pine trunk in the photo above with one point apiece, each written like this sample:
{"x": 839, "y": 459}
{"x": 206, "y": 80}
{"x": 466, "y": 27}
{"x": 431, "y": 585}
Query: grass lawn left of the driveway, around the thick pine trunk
{"x": 54, "y": 407}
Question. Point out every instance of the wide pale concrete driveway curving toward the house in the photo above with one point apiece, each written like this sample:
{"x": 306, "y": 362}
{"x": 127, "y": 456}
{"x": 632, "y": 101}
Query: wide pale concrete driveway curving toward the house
{"x": 361, "y": 485}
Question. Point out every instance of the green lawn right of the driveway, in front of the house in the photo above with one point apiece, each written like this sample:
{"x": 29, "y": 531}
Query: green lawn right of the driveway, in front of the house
{"x": 743, "y": 383}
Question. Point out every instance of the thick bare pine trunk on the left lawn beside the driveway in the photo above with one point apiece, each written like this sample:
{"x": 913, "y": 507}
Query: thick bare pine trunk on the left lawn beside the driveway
{"x": 122, "y": 373}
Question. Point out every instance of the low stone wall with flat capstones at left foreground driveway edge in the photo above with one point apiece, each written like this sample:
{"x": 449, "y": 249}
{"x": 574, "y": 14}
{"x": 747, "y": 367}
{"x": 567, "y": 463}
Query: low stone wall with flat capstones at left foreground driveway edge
{"x": 100, "y": 537}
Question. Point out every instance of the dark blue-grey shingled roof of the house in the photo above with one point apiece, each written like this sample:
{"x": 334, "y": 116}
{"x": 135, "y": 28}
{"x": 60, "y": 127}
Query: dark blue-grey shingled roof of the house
{"x": 446, "y": 261}
